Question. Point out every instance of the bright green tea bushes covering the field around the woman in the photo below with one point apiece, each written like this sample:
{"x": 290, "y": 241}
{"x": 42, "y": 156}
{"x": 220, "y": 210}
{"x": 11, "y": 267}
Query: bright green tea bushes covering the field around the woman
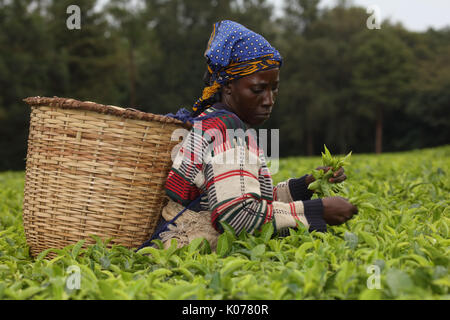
{"x": 397, "y": 247}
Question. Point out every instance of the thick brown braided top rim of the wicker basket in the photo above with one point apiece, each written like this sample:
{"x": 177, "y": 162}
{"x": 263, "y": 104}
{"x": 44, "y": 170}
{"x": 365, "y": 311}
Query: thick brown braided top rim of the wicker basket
{"x": 129, "y": 113}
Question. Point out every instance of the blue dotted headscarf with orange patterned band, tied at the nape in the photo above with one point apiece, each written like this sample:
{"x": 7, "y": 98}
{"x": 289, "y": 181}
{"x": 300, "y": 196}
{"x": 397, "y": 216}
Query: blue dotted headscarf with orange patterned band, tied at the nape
{"x": 233, "y": 51}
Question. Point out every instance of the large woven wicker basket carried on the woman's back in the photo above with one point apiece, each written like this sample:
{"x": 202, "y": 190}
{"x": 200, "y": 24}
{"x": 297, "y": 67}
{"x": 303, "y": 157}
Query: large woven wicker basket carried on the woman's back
{"x": 94, "y": 170}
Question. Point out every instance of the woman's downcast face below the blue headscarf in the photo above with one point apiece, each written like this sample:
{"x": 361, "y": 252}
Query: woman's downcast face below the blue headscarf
{"x": 252, "y": 97}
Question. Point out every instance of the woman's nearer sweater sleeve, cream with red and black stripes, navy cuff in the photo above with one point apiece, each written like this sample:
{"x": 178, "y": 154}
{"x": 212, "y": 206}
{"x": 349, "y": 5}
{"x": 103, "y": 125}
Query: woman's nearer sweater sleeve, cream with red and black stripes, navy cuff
{"x": 236, "y": 192}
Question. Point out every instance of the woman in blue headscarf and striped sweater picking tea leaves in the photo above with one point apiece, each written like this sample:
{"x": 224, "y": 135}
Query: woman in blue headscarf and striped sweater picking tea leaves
{"x": 242, "y": 84}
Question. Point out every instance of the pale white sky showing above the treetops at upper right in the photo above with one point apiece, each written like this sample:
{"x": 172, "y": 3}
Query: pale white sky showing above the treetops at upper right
{"x": 415, "y": 15}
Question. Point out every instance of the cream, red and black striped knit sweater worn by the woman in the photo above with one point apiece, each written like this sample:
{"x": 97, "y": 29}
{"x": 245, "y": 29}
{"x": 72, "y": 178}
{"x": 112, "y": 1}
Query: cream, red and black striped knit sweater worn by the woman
{"x": 216, "y": 160}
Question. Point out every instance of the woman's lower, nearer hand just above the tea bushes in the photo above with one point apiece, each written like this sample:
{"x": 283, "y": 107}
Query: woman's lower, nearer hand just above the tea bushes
{"x": 337, "y": 210}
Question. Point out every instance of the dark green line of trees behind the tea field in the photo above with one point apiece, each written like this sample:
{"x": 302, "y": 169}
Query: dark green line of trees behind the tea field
{"x": 342, "y": 84}
